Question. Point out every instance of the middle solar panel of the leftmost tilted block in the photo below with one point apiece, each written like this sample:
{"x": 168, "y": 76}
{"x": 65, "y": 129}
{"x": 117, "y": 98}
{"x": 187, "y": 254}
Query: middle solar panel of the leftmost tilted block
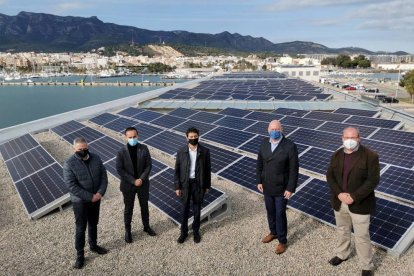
{"x": 28, "y": 163}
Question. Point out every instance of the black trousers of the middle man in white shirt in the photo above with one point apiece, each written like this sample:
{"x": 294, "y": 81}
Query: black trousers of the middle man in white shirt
{"x": 192, "y": 193}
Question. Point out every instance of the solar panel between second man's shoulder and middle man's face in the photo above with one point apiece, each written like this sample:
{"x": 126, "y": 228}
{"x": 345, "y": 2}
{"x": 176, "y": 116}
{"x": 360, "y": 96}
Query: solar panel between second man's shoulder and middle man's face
{"x": 167, "y": 142}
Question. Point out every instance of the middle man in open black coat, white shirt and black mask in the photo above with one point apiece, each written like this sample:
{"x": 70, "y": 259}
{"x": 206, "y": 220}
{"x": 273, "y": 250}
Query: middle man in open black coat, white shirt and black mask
{"x": 192, "y": 180}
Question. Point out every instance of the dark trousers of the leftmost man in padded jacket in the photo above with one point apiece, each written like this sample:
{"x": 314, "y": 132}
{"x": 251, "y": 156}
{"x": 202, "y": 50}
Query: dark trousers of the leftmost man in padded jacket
{"x": 86, "y": 214}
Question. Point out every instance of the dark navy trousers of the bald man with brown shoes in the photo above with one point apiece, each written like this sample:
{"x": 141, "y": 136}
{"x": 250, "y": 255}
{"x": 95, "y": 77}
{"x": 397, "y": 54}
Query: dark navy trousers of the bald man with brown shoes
{"x": 276, "y": 216}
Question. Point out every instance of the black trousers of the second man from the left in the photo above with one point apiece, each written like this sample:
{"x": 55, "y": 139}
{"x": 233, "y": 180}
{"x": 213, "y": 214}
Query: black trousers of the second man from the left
{"x": 129, "y": 201}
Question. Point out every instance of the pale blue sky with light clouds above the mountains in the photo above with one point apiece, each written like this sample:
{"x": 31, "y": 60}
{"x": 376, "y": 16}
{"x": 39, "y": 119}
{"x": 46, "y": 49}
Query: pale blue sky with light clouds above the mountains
{"x": 386, "y": 25}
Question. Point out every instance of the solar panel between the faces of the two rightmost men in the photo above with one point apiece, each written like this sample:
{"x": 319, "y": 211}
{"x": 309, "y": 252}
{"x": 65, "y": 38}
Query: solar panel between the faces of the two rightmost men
{"x": 315, "y": 138}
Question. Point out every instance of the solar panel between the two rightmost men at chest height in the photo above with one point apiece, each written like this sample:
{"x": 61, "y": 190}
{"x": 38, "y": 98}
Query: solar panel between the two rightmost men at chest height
{"x": 316, "y": 160}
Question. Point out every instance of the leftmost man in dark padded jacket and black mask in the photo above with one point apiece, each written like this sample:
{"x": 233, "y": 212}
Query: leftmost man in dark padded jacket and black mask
{"x": 85, "y": 176}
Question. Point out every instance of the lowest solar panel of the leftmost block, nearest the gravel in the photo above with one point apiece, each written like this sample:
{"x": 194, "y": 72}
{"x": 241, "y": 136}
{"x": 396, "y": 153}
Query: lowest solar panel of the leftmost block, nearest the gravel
{"x": 41, "y": 188}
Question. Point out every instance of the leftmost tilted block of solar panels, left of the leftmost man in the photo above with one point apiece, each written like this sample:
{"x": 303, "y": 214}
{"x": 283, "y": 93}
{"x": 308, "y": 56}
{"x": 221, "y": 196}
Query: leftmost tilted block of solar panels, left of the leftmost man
{"x": 37, "y": 176}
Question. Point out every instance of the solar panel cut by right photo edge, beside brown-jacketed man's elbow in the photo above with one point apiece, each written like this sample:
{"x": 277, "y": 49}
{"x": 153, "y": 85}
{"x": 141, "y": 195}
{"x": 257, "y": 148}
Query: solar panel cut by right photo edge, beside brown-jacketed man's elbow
{"x": 397, "y": 182}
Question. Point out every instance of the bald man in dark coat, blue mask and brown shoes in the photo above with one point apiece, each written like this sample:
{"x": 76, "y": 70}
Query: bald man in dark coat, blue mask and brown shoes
{"x": 277, "y": 177}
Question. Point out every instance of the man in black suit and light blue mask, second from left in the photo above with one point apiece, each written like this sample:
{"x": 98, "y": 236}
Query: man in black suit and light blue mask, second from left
{"x": 133, "y": 164}
